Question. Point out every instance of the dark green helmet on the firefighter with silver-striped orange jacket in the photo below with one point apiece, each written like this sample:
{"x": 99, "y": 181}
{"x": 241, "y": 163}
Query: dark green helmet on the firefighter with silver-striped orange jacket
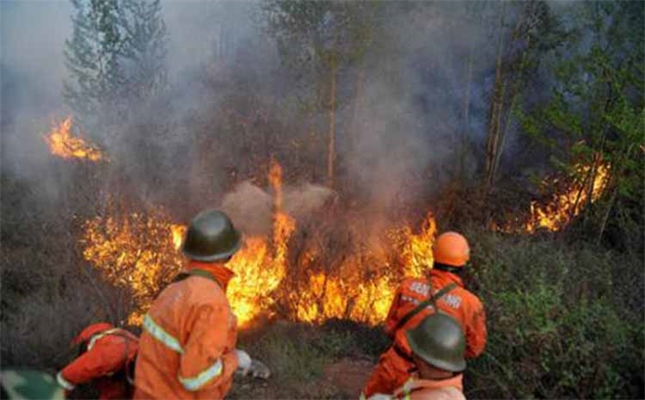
{"x": 211, "y": 237}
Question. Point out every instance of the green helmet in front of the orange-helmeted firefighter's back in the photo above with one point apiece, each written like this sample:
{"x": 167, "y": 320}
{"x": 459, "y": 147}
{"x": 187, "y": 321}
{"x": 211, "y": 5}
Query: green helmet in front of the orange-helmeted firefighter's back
{"x": 439, "y": 341}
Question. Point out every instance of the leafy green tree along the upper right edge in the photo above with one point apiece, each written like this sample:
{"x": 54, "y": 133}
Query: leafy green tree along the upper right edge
{"x": 595, "y": 115}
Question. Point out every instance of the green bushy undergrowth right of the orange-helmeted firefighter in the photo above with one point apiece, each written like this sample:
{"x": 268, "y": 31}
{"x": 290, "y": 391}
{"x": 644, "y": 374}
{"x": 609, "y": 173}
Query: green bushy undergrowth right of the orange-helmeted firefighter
{"x": 561, "y": 324}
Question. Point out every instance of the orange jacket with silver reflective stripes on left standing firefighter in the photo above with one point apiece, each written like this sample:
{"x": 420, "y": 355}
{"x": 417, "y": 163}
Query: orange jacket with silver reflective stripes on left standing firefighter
{"x": 187, "y": 348}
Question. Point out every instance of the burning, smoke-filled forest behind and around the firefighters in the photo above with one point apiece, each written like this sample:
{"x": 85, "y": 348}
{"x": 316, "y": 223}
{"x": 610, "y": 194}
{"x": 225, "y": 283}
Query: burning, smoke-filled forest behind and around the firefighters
{"x": 341, "y": 137}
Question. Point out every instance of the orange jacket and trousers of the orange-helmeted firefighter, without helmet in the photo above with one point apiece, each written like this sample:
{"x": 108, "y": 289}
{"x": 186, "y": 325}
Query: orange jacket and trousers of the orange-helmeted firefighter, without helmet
{"x": 395, "y": 365}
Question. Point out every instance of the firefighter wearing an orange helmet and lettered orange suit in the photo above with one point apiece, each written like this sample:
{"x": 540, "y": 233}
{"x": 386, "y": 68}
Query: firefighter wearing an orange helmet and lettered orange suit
{"x": 416, "y": 298}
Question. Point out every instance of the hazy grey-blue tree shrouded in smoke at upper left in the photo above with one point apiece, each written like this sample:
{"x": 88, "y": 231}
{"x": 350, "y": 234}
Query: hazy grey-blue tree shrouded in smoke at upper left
{"x": 116, "y": 57}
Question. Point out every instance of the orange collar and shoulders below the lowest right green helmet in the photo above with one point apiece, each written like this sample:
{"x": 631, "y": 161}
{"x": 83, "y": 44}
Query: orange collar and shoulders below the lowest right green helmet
{"x": 426, "y": 389}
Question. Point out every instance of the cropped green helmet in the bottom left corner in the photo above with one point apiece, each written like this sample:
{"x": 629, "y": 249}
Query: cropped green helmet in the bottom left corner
{"x": 30, "y": 385}
